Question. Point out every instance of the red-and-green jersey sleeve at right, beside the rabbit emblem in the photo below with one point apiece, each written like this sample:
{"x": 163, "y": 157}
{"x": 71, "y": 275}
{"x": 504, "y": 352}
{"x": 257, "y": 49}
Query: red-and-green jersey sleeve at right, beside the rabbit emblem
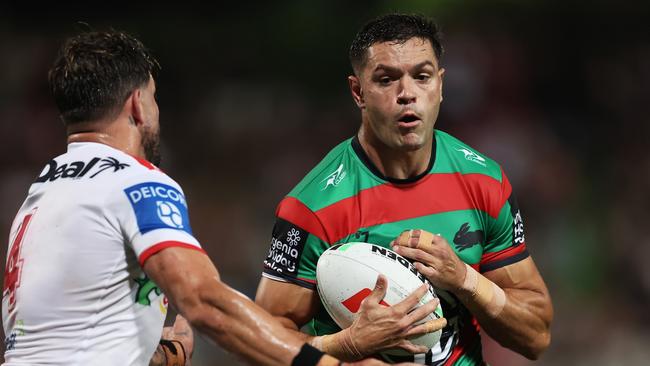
{"x": 505, "y": 242}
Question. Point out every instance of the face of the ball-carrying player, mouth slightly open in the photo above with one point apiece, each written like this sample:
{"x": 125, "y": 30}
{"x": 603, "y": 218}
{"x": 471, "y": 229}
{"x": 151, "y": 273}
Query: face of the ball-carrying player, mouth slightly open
{"x": 400, "y": 90}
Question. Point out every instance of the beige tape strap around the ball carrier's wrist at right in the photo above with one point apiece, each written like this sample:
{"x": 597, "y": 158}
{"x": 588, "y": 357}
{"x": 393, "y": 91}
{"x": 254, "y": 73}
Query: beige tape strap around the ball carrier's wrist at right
{"x": 484, "y": 292}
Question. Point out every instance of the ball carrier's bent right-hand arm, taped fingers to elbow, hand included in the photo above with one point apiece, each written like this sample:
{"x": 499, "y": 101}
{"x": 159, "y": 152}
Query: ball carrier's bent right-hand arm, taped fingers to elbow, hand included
{"x": 511, "y": 303}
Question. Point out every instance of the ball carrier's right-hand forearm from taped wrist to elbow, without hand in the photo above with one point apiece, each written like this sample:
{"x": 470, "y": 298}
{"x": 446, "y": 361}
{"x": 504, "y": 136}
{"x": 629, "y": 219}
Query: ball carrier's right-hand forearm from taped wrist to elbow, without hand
{"x": 516, "y": 318}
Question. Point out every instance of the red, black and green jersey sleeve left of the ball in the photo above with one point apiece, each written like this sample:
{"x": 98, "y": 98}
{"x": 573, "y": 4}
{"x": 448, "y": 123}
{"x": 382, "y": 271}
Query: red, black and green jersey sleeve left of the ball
{"x": 296, "y": 245}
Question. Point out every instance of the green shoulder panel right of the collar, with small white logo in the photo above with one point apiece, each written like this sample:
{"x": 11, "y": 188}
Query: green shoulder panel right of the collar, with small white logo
{"x": 455, "y": 156}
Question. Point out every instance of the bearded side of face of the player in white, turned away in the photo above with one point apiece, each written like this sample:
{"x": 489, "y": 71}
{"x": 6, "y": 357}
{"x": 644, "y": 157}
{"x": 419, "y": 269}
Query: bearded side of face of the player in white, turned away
{"x": 151, "y": 127}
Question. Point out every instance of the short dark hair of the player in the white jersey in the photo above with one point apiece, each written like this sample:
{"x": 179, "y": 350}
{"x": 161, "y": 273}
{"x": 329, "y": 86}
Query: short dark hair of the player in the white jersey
{"x": 95, "y": 72}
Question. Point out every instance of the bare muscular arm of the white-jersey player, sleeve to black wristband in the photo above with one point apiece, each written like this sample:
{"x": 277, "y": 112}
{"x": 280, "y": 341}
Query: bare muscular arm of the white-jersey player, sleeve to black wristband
{"x": 192, "y": 284}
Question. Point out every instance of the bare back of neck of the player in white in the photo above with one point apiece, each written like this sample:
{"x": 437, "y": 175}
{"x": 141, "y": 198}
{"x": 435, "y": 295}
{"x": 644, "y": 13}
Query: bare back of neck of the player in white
{"x": 117, "y": 134}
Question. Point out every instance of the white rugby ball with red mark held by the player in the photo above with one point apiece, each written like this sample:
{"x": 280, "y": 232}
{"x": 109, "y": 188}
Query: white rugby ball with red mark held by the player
{"x": 347, "y": 273}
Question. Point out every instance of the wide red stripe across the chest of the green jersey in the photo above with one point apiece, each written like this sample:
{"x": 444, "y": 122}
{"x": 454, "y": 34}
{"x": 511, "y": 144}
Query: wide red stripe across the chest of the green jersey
{"x": 389, "y": 203}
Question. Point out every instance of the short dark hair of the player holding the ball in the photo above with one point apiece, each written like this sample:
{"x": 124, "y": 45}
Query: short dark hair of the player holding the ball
{"x": 397, "y": 28}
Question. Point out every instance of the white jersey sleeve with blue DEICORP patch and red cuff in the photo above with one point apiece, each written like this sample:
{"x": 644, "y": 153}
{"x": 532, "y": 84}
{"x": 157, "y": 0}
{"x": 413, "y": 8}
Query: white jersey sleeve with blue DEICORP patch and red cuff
{"x": 152, "y": 214}
